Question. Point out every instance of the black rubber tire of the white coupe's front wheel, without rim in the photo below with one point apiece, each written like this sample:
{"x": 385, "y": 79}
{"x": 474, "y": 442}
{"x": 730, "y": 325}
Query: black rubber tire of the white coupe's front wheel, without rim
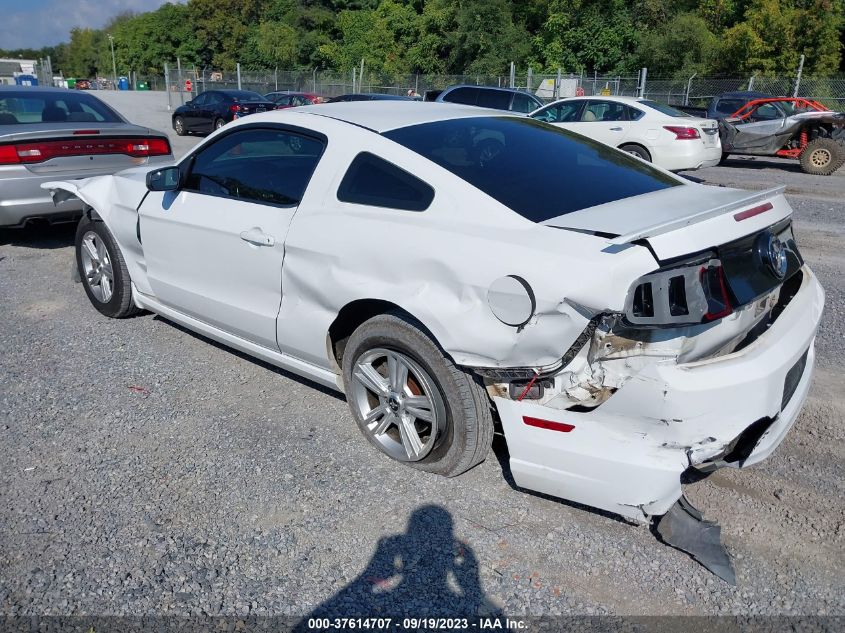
{"x": 119, "y": 304}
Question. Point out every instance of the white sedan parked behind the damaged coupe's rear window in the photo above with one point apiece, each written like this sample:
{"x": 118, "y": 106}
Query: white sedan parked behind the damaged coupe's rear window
{"x": 647, "y": 129}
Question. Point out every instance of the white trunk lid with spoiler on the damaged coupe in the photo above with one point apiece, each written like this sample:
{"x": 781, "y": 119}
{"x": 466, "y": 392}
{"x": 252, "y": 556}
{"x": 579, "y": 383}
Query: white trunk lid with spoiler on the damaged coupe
{"x": 680, "y": 220}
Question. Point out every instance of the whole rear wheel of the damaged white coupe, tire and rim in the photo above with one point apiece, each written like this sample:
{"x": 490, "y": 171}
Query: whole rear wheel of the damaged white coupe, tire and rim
{"x": 413, "y": 403}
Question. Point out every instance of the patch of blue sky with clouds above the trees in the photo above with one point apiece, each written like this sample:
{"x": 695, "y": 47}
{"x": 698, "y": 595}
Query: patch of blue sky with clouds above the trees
{"x": 37, "y": 23}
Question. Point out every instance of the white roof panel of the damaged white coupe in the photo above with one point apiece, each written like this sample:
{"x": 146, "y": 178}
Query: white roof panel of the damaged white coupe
{"x": 383, "y": 116}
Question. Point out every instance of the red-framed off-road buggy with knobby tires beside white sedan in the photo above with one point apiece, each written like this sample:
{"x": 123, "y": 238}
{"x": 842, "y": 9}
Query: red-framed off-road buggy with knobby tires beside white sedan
{"x": 789, "y": 127}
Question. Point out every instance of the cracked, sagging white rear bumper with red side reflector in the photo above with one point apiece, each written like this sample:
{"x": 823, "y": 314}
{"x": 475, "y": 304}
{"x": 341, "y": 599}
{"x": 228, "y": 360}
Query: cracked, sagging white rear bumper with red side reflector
{"x": 628, "y": 455}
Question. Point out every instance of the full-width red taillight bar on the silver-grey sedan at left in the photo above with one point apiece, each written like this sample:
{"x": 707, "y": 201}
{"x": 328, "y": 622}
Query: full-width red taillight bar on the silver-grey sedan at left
{"x": 45, "y": 150}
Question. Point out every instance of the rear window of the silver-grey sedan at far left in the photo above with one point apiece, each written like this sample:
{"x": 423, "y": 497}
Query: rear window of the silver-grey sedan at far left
{"x": 32, "y": 106}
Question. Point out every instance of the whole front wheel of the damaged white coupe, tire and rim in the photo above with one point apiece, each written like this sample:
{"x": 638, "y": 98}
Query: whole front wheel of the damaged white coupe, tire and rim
{"x": 103, "y": 270}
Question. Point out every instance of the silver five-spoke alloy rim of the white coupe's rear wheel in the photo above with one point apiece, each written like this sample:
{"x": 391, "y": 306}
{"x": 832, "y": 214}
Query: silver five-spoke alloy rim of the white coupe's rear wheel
{"x": 399, "y": 404}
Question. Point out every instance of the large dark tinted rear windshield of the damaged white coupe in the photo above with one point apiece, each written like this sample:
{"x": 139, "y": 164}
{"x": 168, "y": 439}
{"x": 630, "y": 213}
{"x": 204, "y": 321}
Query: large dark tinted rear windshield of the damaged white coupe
{"x": 538, "y": 170}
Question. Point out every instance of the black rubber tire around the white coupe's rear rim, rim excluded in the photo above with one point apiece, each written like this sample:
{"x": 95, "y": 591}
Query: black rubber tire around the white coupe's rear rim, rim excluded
{"x": 465, "y": 438}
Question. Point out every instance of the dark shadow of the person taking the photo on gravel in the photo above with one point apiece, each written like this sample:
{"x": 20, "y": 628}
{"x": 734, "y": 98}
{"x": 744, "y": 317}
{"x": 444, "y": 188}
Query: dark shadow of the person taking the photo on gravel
{"x": 425, "y": 572}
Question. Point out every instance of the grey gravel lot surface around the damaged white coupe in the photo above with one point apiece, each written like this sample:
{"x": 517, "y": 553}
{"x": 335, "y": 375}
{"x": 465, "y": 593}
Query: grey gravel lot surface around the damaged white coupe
{"x": 147, "y": 470}
